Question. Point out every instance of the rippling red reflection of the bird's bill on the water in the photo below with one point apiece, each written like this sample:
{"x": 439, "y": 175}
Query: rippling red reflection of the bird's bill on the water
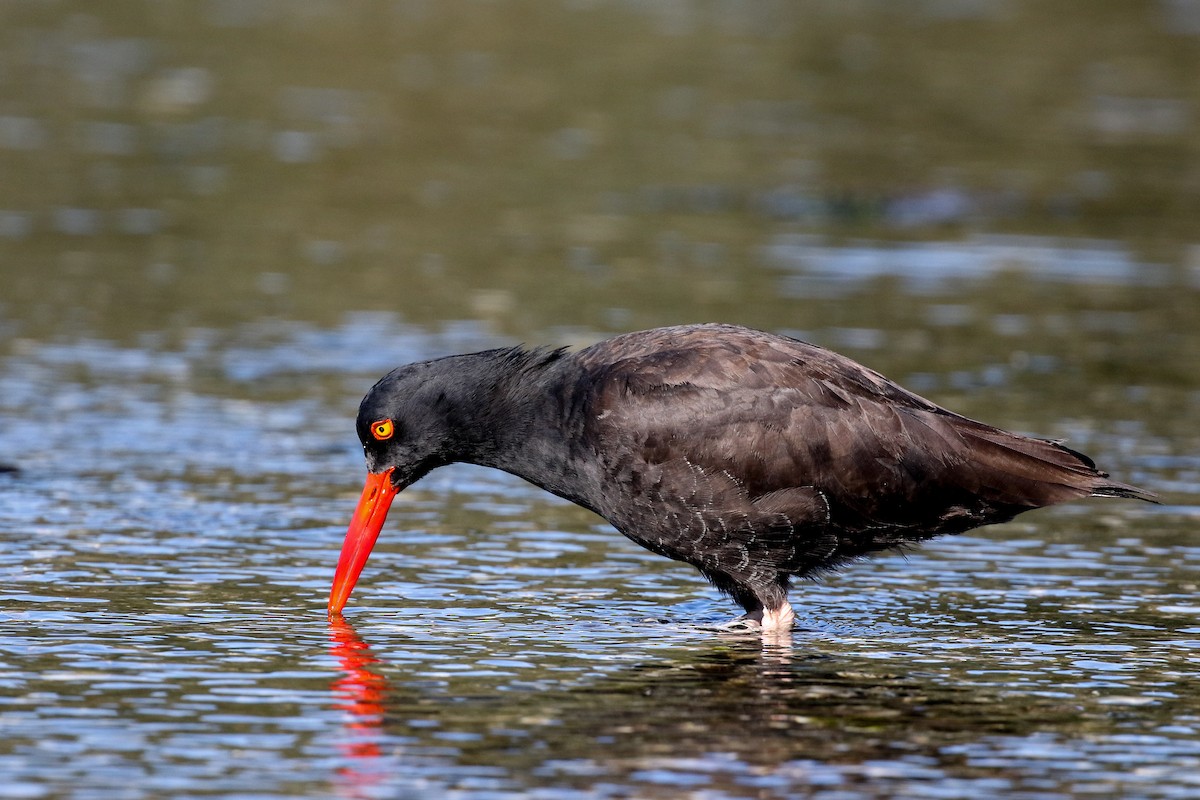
{"x": 361, "y": 693}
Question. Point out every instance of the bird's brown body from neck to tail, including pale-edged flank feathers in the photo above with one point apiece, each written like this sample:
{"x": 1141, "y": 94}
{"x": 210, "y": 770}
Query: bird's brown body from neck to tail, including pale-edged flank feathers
{"x": 716, "y": 435}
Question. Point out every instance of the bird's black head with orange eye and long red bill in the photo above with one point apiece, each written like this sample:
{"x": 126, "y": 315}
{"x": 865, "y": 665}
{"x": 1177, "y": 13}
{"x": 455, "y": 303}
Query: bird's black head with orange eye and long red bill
{"x": 407, "y": 425}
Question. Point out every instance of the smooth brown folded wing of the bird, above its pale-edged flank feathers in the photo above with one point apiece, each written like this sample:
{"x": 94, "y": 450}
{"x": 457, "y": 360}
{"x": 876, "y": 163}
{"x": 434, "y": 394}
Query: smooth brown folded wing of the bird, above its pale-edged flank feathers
{"x": 776, "y": 416}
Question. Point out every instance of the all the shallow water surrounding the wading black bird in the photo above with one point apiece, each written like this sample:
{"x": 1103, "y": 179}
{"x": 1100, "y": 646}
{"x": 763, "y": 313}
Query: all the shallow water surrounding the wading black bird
{"x": 221, "y": 222}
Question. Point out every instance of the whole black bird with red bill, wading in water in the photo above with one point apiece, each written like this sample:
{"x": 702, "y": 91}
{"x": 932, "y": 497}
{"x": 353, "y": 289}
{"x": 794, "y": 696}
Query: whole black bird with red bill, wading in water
{"x": 753, "y": 458}
